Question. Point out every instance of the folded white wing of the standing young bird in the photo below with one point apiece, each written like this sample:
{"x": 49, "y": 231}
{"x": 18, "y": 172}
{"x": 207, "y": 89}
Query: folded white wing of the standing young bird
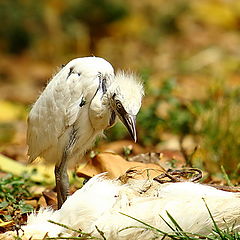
{"x": 55, "y": 111}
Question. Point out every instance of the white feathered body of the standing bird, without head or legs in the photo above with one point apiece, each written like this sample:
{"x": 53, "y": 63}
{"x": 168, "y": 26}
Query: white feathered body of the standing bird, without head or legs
{"x": 57, "y": 113}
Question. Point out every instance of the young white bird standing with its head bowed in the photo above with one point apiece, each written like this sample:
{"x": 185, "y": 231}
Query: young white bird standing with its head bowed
{"x": 78, "y": 104}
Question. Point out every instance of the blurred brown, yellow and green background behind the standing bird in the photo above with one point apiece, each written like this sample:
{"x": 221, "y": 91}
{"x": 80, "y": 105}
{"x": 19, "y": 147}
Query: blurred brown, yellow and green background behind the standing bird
{"x": 186, "y": 51}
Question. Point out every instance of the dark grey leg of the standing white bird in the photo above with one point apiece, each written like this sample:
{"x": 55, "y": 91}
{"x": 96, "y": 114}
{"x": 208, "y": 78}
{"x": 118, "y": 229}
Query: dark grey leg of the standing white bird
{"x": 62, "y": 181}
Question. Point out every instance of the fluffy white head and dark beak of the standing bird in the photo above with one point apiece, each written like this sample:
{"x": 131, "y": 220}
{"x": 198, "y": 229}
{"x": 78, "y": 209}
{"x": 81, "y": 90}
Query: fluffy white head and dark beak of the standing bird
{"x": 125, "y": 95}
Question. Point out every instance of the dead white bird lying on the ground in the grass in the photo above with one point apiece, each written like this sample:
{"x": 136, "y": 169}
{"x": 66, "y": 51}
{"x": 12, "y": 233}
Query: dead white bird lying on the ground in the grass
{"x": 100, "y": 203}
